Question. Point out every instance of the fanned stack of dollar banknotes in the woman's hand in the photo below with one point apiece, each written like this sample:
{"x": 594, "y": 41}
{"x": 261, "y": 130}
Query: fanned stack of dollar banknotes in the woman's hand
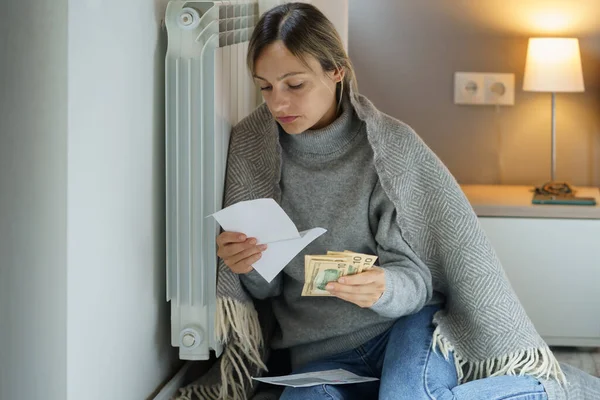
{"x": 321, "y": 269}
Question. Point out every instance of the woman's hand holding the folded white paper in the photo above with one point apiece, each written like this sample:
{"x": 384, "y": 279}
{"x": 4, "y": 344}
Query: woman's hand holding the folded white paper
{"x": 238, "y": 251}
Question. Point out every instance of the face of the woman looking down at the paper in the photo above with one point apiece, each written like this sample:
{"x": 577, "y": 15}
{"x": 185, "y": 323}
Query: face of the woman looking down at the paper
{"x": 298, "y": 97}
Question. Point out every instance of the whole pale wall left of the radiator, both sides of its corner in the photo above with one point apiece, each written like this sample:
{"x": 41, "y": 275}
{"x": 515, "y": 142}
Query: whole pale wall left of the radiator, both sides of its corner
{"x": 82, "y": 304}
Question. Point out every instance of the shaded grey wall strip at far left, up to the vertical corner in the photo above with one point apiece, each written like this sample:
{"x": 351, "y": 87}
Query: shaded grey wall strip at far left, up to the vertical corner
{"x": 33, "y": 181}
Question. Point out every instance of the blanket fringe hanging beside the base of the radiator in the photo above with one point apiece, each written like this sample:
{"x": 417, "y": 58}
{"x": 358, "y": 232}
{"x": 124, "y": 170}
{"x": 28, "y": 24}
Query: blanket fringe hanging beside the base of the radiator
{"x": 236, "y": 320}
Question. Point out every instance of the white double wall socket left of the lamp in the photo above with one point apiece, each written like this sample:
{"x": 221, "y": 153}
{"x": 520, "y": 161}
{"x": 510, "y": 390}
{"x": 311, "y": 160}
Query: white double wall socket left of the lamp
{"x": 482, "y": 88}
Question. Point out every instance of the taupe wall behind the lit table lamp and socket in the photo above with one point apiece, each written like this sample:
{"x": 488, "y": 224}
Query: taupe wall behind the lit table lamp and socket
{"x": 406, "y": 53}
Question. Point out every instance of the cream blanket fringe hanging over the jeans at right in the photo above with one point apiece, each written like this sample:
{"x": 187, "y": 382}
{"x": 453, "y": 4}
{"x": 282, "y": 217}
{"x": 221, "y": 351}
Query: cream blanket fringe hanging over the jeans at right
{"x": 538, "y": 362}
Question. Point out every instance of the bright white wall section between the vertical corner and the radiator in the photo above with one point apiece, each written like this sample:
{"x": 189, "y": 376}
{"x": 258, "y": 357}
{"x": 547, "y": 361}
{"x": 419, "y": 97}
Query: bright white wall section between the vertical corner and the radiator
{"x": 118, "y": 319}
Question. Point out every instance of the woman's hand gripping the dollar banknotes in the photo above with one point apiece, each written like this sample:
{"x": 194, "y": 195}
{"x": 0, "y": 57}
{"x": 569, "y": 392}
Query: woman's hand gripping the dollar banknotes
{"x": 362, "y": 289}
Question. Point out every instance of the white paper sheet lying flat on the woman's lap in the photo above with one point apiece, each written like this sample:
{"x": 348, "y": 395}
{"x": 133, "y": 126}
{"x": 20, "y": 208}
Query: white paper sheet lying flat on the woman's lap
{"x": 330, "y": 377}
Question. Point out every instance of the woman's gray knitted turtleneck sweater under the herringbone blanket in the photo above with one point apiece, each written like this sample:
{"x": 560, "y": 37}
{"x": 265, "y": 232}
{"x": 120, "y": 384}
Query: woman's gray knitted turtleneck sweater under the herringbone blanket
{"x": 328, "y": 180}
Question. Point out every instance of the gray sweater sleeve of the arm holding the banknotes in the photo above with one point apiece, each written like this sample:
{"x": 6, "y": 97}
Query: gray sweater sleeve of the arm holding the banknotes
{"x": 408, "y": 281}
